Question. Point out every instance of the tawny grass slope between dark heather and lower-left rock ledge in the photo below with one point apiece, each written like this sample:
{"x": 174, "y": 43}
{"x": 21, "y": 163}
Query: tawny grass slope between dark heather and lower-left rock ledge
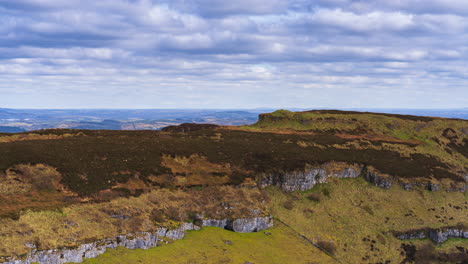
{"x": 84, "y": 222}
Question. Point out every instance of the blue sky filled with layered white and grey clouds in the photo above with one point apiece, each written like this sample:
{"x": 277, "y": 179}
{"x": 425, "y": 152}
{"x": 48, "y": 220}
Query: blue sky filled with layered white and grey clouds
{"x": 233, "y": 54}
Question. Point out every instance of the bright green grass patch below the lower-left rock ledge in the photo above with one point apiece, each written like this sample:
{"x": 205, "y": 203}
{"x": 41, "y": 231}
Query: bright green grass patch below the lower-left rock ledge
{"x": 209, "y": 246}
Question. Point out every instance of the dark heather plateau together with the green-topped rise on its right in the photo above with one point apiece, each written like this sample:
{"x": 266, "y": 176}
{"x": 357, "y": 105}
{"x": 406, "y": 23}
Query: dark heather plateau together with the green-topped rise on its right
{"x": 92, "y": 161}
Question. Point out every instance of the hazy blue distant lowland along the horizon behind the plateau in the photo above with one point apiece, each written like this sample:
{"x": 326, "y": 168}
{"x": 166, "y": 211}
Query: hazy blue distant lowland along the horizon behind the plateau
{"x": 153, "y": 119}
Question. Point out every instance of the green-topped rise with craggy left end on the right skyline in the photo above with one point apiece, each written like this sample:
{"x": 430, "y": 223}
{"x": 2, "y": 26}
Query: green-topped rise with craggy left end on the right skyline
{"x": 442, "y": 138}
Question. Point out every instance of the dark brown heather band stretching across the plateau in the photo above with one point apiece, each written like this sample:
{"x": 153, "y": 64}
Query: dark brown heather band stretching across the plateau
{"x": 107, "y": 158}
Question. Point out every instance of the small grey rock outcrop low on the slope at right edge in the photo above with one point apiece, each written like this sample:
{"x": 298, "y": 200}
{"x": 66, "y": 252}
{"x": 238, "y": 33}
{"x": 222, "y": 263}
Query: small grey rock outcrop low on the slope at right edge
{"x": 437, "y": 235}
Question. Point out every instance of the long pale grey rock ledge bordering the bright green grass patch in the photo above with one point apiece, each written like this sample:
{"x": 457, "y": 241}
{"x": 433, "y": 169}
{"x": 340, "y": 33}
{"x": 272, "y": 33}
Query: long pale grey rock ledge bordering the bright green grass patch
{"x": 142, "y": 240}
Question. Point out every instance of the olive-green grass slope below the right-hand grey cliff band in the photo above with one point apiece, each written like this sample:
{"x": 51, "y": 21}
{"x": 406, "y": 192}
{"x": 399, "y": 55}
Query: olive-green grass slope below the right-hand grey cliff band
{"x": 355, "y": 213}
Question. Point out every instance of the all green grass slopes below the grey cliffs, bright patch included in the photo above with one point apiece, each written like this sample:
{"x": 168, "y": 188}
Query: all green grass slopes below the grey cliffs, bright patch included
{"x": 352, "y": 220}
